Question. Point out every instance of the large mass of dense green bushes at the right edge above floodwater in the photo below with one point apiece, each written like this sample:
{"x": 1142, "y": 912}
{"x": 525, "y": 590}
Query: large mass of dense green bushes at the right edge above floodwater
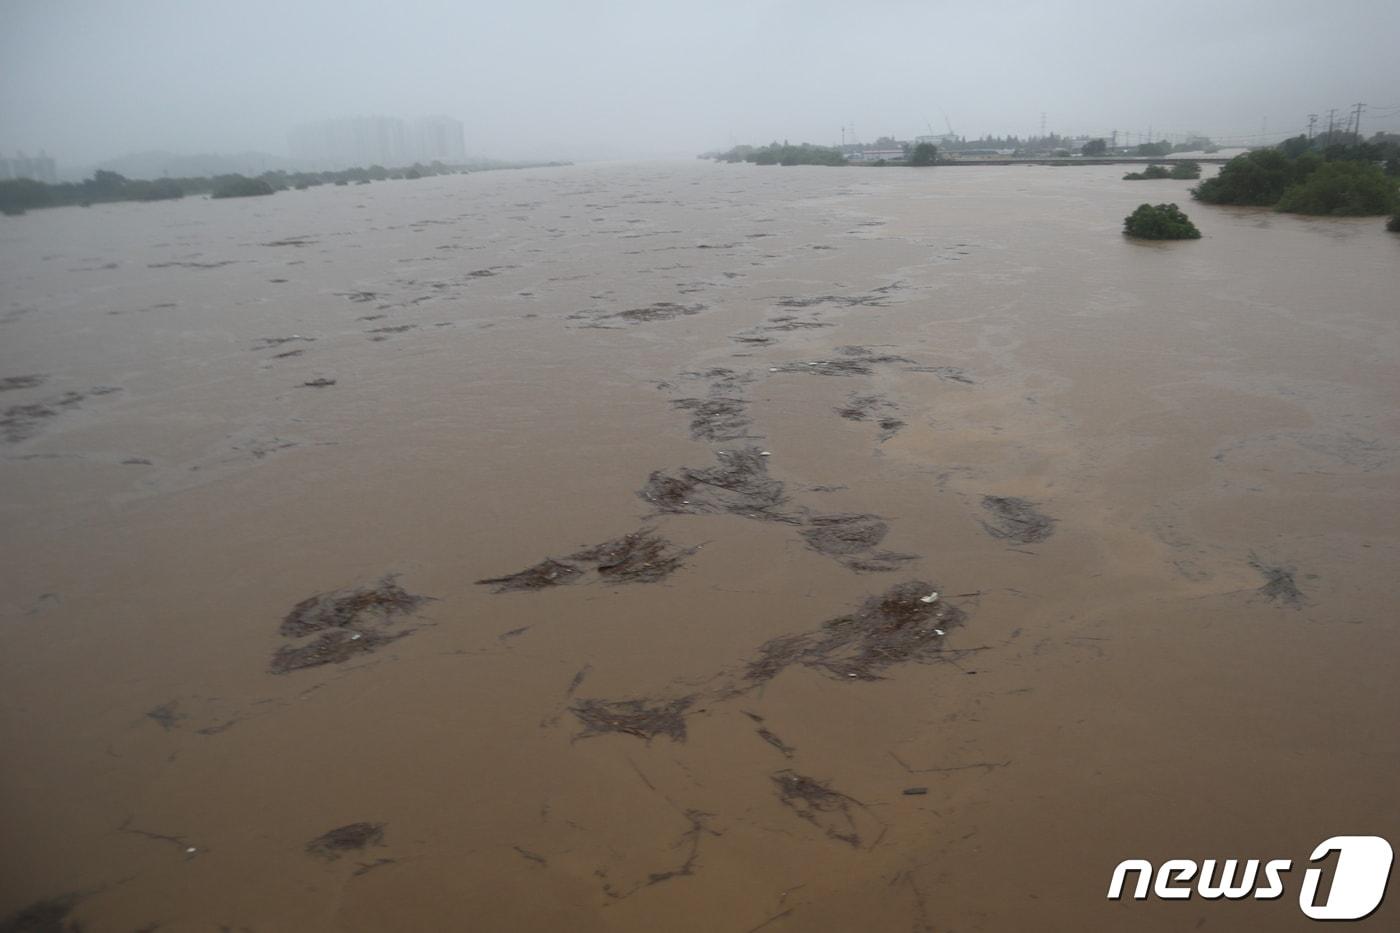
{"x": 1300, "y": 177}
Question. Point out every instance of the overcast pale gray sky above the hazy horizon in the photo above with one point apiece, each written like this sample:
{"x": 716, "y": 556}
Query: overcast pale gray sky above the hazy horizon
{"x": 555, "y": 79}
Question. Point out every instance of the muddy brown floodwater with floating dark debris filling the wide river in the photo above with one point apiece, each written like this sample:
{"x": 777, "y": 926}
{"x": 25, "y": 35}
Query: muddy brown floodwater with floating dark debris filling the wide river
{"x": 709, "y": 434}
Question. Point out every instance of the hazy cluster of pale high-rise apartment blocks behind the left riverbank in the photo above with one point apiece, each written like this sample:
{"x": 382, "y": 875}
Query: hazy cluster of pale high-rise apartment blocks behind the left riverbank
{"x": 377, "y": 141}
